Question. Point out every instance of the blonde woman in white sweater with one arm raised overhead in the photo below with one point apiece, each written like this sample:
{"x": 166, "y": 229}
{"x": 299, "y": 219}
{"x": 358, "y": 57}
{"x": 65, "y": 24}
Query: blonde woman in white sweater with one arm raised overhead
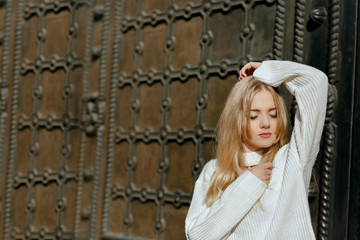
{"x": 257, "y": 186}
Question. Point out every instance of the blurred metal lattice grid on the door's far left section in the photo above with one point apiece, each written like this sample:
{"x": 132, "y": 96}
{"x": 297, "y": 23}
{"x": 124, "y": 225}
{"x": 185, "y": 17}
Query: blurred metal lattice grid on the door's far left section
{"x": 36, "y": 122}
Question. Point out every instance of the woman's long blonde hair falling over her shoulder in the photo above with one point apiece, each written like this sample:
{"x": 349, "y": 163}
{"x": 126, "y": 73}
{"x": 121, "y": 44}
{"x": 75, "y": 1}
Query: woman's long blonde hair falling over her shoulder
{"x": 232, "y": 132}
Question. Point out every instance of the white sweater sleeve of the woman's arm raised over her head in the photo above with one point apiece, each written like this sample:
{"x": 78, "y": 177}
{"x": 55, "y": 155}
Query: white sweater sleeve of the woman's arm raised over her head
{"x": 310, "y": 86}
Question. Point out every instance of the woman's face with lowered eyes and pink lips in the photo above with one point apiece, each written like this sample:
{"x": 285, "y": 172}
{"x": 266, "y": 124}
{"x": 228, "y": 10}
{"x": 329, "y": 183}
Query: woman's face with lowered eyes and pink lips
{"x": 262, "y": 128}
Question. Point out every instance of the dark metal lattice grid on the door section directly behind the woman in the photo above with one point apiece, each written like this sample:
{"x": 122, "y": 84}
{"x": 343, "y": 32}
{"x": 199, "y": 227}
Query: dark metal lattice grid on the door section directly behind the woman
{"x": 206, "y": 68}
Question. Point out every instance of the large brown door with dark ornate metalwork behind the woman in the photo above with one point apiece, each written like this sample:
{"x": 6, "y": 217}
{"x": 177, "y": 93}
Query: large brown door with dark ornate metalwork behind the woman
{"x": 108, "y": 107}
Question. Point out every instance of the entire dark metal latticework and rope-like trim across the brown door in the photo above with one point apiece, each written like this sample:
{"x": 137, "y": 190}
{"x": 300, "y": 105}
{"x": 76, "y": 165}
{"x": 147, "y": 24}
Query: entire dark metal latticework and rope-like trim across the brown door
{"x": 90, "y": 122}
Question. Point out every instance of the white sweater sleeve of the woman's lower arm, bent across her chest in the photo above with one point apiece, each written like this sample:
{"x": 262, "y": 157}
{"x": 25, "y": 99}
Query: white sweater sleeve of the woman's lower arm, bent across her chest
{"x": 216, "y": 222}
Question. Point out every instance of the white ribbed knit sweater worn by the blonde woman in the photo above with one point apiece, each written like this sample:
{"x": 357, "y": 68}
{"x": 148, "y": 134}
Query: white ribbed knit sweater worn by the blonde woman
{"x": 284, "y": 210}
